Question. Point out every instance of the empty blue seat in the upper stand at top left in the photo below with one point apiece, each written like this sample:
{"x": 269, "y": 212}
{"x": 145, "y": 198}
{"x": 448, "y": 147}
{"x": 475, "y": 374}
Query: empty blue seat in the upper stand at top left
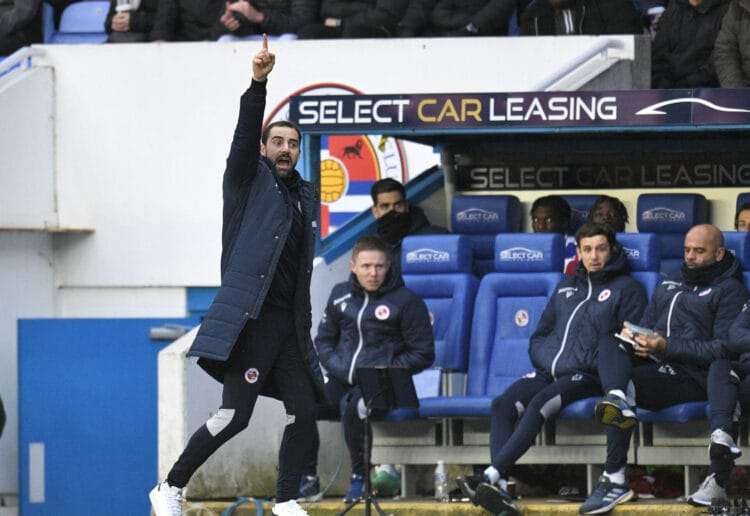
{"x": 83, "y": 22}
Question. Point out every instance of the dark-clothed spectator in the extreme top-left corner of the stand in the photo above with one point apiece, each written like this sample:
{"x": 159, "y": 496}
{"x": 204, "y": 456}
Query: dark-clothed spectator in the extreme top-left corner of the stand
{"x": 20, "y": 24}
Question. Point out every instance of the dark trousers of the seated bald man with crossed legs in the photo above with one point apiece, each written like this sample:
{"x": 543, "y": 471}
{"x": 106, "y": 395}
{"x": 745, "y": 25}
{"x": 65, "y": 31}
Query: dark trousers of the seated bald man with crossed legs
{"x": 655, "y": 385}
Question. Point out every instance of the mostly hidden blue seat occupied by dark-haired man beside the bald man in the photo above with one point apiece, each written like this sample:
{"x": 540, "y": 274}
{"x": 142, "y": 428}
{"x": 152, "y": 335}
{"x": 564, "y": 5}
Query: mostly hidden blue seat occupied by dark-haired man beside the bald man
{"x": 644, "y": 257}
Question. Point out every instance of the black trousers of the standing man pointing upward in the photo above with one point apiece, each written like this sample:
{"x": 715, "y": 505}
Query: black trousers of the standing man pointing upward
{"x": 266, "y": 351}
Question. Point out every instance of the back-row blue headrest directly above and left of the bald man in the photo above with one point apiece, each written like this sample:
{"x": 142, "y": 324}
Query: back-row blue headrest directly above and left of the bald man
{"x": 671, "y": 213}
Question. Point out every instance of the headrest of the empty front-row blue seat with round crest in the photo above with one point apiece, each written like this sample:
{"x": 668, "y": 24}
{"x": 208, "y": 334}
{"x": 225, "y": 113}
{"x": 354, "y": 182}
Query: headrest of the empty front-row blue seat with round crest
{"x": 529, "y": 252}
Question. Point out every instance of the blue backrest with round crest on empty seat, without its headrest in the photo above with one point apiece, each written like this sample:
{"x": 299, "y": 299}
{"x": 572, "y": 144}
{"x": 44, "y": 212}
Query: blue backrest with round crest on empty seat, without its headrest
{"x": 506, "y": 313}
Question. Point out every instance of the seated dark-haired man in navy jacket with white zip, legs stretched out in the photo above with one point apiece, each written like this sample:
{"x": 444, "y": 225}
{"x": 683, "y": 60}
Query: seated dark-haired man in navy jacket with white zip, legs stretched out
{"x": 586, "y": 308}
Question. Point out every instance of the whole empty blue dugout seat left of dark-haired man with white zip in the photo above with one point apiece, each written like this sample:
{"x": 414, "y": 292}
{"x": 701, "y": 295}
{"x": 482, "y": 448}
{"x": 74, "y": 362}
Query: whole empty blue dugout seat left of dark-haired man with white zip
{"x": 508, "y": 307}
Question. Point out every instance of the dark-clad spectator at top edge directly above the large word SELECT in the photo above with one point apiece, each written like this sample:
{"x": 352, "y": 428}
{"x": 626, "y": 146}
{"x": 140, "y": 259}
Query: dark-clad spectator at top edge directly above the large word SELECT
{"x": 360, "y": 19}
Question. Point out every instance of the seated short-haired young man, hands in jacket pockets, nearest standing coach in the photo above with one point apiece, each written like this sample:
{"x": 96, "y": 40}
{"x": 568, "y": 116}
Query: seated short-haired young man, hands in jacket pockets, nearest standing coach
{"x": 370, "y": 320}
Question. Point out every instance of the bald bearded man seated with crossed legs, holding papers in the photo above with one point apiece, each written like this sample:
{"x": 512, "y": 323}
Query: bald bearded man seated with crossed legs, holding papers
{"x": 684, "y": 329}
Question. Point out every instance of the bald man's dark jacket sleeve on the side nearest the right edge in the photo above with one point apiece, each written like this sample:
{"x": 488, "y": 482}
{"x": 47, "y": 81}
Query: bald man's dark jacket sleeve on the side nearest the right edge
{"x": 702, "y": 352}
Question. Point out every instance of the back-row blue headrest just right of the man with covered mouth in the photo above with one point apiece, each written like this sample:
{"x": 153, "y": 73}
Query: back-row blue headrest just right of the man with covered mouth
{"x": 485, "y": 214}
